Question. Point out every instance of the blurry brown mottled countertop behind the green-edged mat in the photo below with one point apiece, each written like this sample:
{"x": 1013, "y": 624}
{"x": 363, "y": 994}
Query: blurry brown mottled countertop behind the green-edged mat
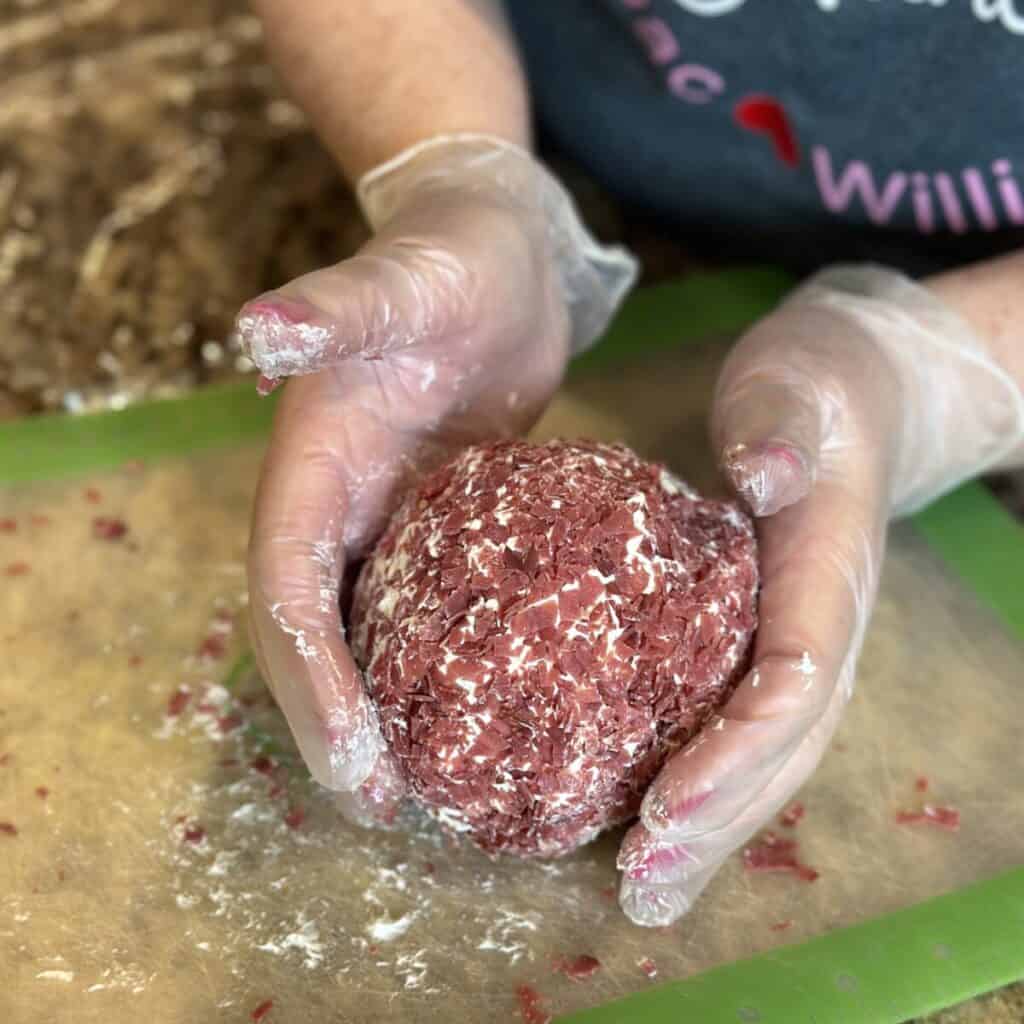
{"x": 153, "y": 178}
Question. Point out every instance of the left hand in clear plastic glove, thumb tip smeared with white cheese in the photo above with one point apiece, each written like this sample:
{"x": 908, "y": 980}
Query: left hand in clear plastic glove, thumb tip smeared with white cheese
{"x": 453, "y": 325}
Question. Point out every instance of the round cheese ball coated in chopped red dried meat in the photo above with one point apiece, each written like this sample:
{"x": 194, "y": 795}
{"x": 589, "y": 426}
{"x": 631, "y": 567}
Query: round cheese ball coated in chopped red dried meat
{"x": 541, "y": 626}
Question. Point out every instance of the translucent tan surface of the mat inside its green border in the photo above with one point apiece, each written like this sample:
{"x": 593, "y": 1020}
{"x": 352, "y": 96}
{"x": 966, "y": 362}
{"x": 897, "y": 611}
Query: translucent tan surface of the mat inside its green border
{"x": 162, "y": 877}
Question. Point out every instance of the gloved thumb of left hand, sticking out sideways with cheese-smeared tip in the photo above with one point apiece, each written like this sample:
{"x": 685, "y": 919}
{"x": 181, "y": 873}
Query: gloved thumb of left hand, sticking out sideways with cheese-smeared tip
{"x": 380, "y": 301}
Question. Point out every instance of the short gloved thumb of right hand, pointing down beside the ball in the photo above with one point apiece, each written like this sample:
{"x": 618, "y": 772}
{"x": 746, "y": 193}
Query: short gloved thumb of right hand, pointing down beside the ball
{"x": 773, "y": 414}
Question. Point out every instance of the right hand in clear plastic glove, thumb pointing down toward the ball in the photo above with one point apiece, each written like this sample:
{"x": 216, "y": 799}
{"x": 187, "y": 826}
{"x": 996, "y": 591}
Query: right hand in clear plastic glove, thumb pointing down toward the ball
{"x": 861, "y": 399}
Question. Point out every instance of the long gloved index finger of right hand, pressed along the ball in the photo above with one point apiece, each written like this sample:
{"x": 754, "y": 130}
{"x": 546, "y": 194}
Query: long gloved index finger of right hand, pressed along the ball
{"x": 820, "y": 568}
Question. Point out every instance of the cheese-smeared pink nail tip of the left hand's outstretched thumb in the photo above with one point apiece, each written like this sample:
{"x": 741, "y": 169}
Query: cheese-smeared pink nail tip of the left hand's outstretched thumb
{"x": 283, "y": 336}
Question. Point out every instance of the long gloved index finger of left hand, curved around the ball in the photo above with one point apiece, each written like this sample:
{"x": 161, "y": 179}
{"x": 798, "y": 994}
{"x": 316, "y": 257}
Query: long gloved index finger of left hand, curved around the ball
{"x": 296, "y": 559}
